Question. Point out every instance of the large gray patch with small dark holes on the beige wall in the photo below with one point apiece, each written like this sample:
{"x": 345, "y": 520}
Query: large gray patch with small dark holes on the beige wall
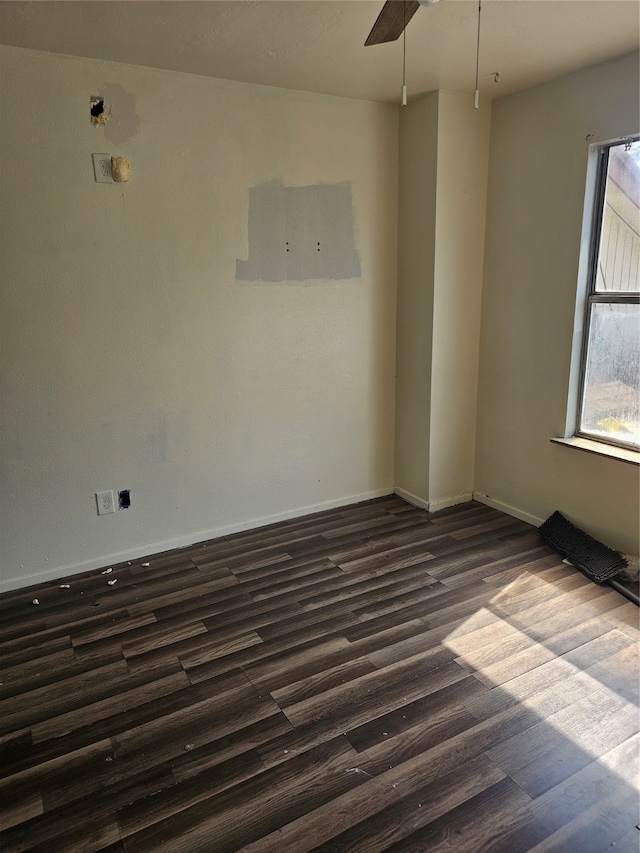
{"x": 300, "y": 233}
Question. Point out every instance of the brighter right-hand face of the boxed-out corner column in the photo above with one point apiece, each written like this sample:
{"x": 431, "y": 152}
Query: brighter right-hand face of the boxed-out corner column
{"x": 461, "y": 198}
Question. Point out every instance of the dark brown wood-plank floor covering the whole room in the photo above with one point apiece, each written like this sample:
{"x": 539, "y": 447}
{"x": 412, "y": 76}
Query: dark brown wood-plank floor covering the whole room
{"x": 373, "y": 678}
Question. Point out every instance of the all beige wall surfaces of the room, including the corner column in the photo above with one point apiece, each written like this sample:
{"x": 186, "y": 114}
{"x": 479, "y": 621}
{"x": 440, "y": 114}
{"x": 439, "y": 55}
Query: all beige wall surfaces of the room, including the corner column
{"x": 132, "y": 358}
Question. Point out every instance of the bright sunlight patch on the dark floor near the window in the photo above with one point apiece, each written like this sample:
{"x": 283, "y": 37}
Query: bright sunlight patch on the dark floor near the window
{"x": 572, "y": 678}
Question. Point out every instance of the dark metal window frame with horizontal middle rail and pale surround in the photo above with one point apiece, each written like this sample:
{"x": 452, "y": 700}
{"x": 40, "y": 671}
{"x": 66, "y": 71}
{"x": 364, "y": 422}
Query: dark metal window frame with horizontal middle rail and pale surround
{"x": 591, "y": 295}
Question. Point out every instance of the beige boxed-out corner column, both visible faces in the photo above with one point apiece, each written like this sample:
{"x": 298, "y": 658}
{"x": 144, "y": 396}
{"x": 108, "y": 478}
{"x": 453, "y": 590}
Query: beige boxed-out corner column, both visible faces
{"x": 444, "y": 149}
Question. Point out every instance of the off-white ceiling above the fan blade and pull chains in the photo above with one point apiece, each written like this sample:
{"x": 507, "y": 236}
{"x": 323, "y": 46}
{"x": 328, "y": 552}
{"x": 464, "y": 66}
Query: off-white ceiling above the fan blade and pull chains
{"x": 318, "y": 45}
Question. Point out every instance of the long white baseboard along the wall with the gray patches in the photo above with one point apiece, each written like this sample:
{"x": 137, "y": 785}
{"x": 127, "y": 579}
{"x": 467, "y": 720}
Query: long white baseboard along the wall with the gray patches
{"x": 184, "y": 541}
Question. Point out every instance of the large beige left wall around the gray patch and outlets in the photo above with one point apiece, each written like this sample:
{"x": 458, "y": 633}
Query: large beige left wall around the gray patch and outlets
{"x": 132, "y": 358}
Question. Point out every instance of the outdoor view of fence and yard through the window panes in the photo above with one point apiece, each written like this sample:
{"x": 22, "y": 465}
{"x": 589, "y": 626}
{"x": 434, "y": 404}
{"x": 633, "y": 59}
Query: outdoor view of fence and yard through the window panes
{"x": 611, "y": 391}
